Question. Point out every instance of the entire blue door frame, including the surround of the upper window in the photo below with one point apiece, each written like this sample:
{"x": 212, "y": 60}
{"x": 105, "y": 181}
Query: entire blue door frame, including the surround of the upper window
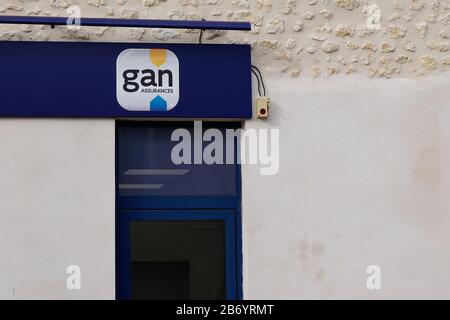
{"x": 137, "y": 208}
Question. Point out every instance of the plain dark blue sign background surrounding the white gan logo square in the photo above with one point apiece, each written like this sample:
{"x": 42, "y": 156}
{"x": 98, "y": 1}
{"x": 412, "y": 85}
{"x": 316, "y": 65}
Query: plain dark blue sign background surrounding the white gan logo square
{"x": 55, "y": 79}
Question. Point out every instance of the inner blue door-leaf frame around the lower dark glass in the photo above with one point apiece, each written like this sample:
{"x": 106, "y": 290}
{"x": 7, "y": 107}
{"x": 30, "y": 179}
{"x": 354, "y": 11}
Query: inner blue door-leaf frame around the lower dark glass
{"x": 124, "y": 290}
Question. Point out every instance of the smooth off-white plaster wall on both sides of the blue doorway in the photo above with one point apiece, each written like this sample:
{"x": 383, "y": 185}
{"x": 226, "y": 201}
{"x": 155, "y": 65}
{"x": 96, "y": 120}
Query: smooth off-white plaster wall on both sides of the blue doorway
{"x": 363, "y": 180}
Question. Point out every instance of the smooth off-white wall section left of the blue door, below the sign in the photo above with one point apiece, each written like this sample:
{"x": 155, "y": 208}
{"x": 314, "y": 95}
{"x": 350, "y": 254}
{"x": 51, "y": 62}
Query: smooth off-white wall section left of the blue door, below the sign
{"x": 57, "y": 208}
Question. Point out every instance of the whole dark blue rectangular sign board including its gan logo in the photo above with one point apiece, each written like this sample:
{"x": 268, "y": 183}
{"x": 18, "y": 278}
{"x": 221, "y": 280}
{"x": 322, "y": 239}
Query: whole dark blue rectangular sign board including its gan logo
{"x": 124, "y": 80}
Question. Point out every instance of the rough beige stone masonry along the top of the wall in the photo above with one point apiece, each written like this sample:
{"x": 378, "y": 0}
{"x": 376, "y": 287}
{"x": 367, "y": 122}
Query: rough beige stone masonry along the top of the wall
{"x": 409, "y": 38}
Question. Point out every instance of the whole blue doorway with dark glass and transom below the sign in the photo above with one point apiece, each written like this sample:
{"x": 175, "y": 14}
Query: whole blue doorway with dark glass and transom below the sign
{"x": 178, "y": 226}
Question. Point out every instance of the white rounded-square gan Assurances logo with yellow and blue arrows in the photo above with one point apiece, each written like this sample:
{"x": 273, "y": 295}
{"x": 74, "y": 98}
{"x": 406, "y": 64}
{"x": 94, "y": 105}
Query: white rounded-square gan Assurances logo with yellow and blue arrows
{"x": 147, "y": 80}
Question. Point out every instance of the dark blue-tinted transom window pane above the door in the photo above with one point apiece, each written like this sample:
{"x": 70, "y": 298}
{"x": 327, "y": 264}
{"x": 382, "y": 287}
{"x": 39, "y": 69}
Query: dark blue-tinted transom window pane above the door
{"x": 150, "y": 147}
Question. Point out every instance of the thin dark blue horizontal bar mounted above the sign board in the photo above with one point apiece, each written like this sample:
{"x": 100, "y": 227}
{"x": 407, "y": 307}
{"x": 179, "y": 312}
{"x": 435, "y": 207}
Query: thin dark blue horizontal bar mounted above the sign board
{"x": 129, "y": 23}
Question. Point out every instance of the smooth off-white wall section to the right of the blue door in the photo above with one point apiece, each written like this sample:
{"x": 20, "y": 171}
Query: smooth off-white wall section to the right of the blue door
{"x": 364, "y": 179}
